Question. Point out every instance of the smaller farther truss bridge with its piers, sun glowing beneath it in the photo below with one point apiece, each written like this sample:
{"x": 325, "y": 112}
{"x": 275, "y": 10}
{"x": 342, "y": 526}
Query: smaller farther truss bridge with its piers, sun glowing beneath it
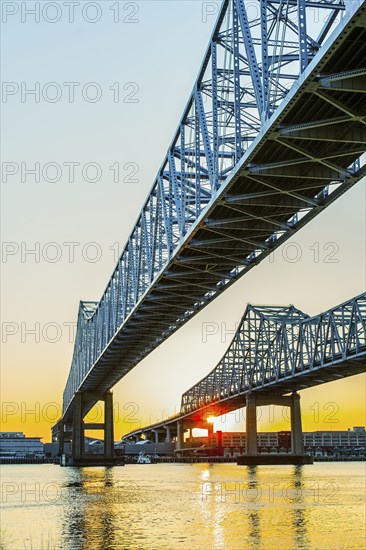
{"x": 275, "y": 352}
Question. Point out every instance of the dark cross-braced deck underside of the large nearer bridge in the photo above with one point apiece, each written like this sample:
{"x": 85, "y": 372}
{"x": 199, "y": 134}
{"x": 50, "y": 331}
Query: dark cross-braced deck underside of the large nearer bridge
{"x": 311, "y": 143}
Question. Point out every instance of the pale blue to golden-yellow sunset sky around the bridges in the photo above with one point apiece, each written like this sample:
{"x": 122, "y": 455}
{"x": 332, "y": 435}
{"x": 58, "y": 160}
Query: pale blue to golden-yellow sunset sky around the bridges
{"x": 76, "y": 228}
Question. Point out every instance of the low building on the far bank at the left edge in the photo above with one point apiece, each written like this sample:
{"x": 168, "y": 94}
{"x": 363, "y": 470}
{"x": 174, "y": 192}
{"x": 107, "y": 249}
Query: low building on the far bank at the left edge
{"x": 17, "y": 445}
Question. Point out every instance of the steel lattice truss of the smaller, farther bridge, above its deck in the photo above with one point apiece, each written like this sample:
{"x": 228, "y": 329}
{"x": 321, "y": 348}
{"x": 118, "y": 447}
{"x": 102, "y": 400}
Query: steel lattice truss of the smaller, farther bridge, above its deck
{"x": 273, "y": 344}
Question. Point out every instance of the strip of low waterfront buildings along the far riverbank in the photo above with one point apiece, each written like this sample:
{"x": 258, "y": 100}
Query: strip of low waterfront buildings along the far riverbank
{"x": 337, "y": 444}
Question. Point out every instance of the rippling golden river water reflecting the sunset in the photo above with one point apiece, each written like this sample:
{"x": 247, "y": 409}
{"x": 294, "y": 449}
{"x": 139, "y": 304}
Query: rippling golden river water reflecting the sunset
{"x": 188, "y": 506}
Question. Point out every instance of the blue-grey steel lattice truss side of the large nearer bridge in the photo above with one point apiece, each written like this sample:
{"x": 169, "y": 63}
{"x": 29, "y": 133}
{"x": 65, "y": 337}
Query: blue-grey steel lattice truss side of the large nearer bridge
{"x": 255, "y": 55}
